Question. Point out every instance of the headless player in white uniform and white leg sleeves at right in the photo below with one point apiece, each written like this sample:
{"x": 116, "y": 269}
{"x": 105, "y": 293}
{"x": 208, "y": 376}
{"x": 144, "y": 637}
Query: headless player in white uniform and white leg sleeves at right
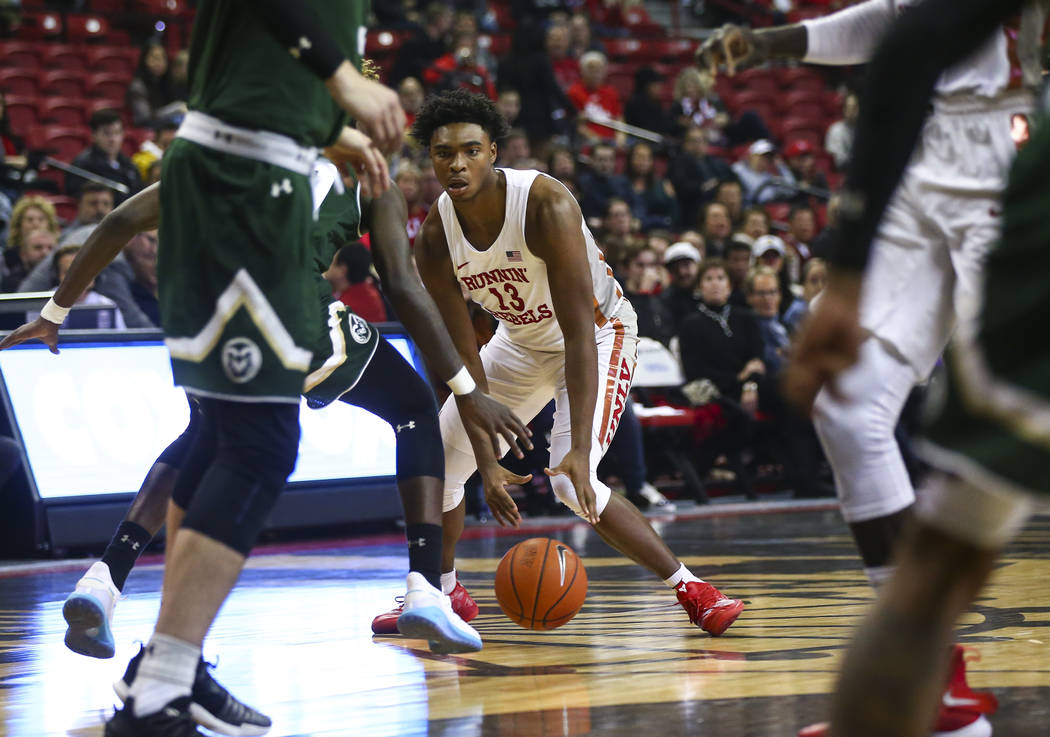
{"x": 927, "y": 258}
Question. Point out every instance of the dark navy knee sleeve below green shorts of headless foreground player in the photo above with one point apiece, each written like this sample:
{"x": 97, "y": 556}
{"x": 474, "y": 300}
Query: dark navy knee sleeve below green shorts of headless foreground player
{"x": 255, "y": 453}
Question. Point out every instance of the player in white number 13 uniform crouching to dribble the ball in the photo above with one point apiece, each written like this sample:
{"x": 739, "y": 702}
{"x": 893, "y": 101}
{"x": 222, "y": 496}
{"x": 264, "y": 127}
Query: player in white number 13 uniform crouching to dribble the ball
{"x": 517, "y": 242}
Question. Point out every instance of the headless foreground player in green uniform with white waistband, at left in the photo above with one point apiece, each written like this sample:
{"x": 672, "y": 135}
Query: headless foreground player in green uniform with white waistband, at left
{"x": 270, "y": 82}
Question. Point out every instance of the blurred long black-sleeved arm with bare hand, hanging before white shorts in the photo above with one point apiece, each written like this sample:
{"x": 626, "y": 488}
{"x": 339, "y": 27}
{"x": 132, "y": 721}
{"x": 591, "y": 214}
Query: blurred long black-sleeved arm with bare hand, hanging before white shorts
{"x": 929, "y": 39}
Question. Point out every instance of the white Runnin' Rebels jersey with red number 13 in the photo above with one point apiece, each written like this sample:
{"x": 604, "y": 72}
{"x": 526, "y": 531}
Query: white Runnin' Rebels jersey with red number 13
{"x": 510, "y": 282}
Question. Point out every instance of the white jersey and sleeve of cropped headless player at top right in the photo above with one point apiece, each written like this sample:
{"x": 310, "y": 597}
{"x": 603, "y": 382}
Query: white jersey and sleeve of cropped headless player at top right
{"x": 1011, "y": 59}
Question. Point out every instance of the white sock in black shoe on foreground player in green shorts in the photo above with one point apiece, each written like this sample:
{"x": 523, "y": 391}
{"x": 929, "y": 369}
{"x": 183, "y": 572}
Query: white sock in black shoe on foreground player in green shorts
{"x": 166, "y": 672}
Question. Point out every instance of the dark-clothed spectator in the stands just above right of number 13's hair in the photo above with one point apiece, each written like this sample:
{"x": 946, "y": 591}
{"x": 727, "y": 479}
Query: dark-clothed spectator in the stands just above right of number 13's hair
{"x": 547, "y": 112}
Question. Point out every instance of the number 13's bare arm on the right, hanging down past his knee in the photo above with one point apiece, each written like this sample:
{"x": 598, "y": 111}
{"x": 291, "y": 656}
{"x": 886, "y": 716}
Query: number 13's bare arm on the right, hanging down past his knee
{"x": 554, "y": 231}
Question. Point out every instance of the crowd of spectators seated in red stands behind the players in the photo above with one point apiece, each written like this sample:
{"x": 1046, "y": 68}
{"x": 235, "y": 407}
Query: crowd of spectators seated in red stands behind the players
{"x": 713, "y": 224}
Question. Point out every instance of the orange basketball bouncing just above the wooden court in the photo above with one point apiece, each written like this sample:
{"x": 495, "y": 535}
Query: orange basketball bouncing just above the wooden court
{"x": 541, "y": 584}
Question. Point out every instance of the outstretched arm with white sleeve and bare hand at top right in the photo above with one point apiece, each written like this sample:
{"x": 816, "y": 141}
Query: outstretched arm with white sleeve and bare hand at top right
{"x": 847, "y": 37}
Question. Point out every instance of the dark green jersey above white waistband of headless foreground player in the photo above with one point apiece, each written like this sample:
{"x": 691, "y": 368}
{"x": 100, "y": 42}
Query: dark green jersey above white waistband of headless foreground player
{"x": 241, "y": 74}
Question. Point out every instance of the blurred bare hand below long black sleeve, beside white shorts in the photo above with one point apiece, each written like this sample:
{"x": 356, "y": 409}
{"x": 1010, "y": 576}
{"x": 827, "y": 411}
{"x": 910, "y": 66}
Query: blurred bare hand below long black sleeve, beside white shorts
{"x": 829, "y": 343}
